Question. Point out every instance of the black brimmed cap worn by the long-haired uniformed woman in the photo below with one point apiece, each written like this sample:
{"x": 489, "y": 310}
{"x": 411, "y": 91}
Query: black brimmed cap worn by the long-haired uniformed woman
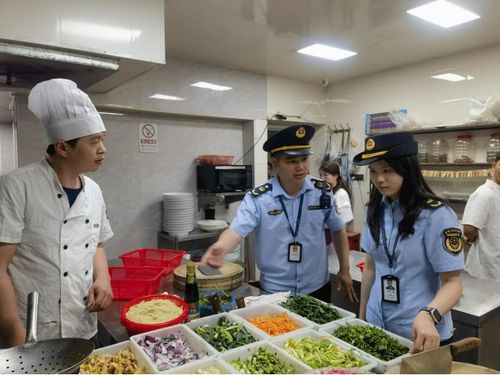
{"x": 386, "y": 146}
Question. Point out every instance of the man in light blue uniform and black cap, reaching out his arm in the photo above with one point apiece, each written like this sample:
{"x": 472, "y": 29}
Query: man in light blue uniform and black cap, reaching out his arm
{"x": 288, "y": 214}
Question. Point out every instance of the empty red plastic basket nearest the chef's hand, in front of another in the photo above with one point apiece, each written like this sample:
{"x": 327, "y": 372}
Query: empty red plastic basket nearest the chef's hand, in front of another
{"x": 133, "y": 282}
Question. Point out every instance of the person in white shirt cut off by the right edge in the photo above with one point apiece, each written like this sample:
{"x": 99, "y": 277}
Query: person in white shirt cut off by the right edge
{"x": 481, "y": 221}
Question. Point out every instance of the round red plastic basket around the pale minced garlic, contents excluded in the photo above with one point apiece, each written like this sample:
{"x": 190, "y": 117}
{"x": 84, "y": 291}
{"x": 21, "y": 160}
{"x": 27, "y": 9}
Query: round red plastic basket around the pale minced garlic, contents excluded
{"x": 136, "y": 328}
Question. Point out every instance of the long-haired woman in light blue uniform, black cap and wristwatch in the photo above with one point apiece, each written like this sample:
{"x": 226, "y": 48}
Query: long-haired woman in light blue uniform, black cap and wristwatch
{"x": 411, "y": 238}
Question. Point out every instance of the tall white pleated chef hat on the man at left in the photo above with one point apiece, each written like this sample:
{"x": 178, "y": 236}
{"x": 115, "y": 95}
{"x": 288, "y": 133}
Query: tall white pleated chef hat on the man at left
{"x": 65, "y": 111}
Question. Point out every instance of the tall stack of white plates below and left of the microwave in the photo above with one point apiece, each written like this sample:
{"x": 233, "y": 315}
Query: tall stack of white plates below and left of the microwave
{"x": 178, "y": 213}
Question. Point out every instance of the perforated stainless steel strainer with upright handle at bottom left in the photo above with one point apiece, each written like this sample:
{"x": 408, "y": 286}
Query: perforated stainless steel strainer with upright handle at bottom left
{"x": 48, "y": 356}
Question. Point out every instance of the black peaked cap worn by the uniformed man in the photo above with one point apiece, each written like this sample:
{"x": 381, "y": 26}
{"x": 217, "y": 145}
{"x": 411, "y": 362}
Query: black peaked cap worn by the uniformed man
{"x": 293, "y": 140}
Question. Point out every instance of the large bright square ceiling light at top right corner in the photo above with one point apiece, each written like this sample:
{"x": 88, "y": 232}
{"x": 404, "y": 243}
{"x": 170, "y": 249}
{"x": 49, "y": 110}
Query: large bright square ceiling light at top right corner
{"x": 443, "y": 13}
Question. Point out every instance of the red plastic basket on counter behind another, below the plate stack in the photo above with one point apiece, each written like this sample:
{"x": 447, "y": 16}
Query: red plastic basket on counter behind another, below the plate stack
{"x": 168, "y": 259}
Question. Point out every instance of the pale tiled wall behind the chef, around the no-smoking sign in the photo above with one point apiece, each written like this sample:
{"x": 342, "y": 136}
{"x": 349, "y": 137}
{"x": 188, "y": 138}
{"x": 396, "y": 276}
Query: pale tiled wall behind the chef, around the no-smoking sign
{"x": 132, "y": 182}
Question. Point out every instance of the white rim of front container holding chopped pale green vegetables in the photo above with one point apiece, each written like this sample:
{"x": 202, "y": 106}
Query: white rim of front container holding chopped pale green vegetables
{"x": 315, "y": 335}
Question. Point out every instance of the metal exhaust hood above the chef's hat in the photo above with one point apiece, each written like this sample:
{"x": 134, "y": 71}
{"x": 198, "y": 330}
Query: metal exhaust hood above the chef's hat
{"x": 23, "y": 65}
